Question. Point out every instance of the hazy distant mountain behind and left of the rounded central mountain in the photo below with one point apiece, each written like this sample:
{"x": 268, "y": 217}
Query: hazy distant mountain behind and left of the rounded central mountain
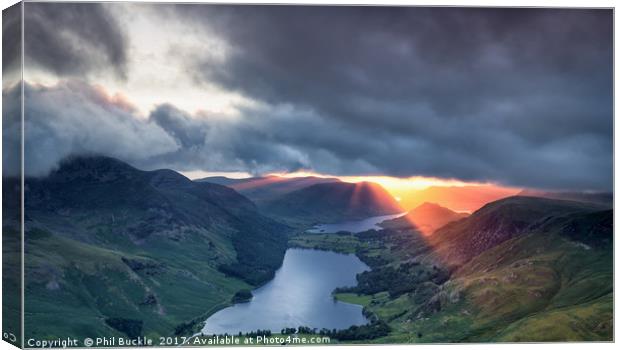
{"x": 262, "y": 189}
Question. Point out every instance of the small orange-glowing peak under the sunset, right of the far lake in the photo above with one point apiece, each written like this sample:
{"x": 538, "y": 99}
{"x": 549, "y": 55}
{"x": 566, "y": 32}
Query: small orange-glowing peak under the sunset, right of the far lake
{"x": 427, "y": 218}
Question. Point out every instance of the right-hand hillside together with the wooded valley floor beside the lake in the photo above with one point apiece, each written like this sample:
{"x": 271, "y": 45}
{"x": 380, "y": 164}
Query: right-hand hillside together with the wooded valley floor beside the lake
{"x": 518, "y": 269}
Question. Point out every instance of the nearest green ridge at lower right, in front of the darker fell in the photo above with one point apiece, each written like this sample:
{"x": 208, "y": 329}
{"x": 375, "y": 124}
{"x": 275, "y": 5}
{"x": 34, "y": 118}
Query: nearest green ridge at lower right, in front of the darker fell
{"x": 545, "y": 285}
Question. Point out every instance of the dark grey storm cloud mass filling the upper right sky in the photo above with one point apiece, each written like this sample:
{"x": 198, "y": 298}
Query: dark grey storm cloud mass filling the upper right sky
{"x": 518, "y": 96}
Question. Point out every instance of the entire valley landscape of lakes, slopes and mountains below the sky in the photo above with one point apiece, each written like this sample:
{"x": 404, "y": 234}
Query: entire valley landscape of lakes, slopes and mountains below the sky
{"x": 113, "y": 250}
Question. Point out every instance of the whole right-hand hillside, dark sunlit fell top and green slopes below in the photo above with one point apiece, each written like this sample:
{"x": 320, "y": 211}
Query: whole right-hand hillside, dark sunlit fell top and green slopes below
{"x": 523, "y": 269}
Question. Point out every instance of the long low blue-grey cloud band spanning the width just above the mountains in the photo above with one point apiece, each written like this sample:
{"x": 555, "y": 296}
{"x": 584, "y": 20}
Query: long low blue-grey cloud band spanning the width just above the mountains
{"x": 75, "y": 118}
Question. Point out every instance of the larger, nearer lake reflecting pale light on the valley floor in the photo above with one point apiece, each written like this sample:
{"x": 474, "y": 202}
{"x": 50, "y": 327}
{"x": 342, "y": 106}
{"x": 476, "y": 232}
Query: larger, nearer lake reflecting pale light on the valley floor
{"x": 299, "y": 295}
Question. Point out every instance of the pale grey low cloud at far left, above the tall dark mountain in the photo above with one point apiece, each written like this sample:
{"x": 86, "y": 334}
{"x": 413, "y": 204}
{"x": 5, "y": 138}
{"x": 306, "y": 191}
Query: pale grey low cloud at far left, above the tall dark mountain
{"x": 75, "y": 118}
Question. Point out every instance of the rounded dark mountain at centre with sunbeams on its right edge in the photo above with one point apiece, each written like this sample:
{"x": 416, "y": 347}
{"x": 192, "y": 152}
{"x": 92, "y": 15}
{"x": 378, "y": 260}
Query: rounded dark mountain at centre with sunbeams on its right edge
{"x": 333, "y": 202}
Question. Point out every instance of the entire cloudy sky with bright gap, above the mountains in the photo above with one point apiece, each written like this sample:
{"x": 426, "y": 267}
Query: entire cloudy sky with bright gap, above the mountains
{"x": 512, "y": 97}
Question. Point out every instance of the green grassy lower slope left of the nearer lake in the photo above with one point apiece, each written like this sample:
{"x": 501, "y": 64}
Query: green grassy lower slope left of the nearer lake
{"x": 73, "y": 287}
